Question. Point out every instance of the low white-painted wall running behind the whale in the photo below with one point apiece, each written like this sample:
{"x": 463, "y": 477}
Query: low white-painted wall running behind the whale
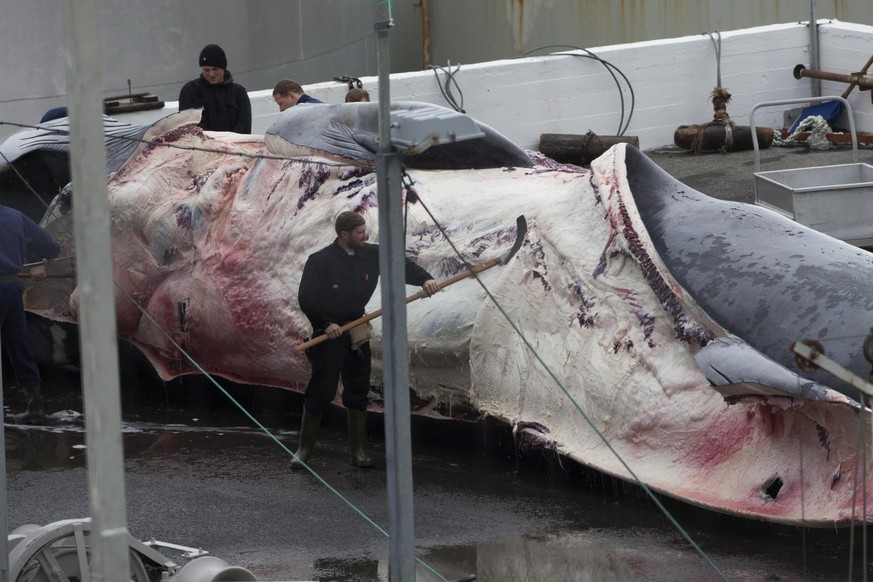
{"x": 671, "y": 80}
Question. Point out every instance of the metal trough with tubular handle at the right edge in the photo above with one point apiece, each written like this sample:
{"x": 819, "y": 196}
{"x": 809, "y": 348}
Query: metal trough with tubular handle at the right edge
{"x": 836, "y": 200}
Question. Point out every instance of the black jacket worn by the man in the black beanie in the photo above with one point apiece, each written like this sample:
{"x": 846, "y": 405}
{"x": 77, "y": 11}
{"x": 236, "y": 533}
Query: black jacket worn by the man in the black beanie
{"x": 226, "y": 106}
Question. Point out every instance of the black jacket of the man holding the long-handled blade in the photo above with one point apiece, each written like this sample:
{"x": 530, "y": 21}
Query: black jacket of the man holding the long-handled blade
{"x": 335, "y": 286}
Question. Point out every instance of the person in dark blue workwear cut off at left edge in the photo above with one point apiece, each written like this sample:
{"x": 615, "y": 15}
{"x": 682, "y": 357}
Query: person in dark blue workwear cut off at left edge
{"x": 21, "y": 240}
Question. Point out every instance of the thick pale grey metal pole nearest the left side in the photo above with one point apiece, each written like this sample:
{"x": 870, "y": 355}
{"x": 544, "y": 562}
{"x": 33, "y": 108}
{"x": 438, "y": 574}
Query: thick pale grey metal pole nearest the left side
{"x": 99, "y": 346}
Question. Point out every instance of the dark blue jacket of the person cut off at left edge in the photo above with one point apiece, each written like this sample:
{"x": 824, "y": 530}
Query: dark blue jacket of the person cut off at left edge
{"x": 22, "y": 241}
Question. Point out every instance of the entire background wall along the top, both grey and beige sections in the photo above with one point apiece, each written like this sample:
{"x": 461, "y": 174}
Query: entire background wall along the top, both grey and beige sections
{"x": 155, "y": 43}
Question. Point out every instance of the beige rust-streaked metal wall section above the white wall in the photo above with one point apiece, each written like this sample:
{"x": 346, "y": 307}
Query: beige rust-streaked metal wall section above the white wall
{"x": 470, "y": 31}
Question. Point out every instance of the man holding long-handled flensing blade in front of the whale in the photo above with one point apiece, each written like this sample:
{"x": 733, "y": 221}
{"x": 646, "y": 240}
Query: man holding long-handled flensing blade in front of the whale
{"x": 336, "y": 285}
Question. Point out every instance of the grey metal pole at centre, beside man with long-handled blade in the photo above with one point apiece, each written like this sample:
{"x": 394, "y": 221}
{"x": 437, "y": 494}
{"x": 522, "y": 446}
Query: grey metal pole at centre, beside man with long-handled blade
{"x": 394, "y": 340}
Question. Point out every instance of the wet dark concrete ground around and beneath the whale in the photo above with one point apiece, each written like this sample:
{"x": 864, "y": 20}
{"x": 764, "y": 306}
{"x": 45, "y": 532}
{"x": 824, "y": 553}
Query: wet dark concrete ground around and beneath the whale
{"x": 199, "y": 473}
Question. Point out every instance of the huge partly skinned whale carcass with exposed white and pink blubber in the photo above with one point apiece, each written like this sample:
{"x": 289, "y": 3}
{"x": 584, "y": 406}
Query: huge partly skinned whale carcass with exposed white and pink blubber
{"x": 640, "y": 312}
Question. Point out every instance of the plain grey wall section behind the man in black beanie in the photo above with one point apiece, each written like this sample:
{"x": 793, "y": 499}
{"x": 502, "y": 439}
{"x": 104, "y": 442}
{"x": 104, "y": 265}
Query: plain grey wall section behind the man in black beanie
{"x": 155, "y": 44}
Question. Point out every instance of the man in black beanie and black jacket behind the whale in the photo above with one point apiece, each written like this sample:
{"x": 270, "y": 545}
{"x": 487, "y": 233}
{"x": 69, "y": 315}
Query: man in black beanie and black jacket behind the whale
{"x": 226, "y": 105}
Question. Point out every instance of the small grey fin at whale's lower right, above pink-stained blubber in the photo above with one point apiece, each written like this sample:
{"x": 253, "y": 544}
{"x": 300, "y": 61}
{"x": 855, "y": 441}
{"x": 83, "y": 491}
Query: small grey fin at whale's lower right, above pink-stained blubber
{"x": 739, "y": 372}
